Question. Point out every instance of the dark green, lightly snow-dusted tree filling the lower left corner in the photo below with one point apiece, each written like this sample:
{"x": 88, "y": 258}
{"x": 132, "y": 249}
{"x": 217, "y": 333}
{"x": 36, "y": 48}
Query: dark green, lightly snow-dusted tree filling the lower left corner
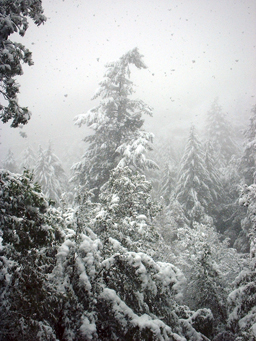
{"x": 28, "y": 303}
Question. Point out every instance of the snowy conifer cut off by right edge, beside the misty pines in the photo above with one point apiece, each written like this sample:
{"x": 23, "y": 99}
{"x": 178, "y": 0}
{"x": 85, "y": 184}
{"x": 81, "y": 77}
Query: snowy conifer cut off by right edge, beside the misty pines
{"x": 248, "y": 160}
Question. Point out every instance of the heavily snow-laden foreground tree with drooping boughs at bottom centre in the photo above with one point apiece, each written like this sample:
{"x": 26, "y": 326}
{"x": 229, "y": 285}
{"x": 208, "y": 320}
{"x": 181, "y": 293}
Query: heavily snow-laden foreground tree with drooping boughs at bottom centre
{"x": 109, "y": 292}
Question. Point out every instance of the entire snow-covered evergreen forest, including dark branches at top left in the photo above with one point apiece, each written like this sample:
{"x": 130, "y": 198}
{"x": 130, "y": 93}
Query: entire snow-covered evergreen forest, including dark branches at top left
{"x": 140, "y": 242}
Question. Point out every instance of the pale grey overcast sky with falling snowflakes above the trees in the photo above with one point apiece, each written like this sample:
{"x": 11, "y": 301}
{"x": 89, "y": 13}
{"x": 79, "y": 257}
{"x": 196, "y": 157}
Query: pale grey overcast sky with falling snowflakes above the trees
{"x": 195, "y": 50}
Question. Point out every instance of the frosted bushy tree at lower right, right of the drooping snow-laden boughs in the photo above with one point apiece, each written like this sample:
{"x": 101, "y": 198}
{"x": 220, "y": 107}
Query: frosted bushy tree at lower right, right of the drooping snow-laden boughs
{"x": 210, "y": 267}
